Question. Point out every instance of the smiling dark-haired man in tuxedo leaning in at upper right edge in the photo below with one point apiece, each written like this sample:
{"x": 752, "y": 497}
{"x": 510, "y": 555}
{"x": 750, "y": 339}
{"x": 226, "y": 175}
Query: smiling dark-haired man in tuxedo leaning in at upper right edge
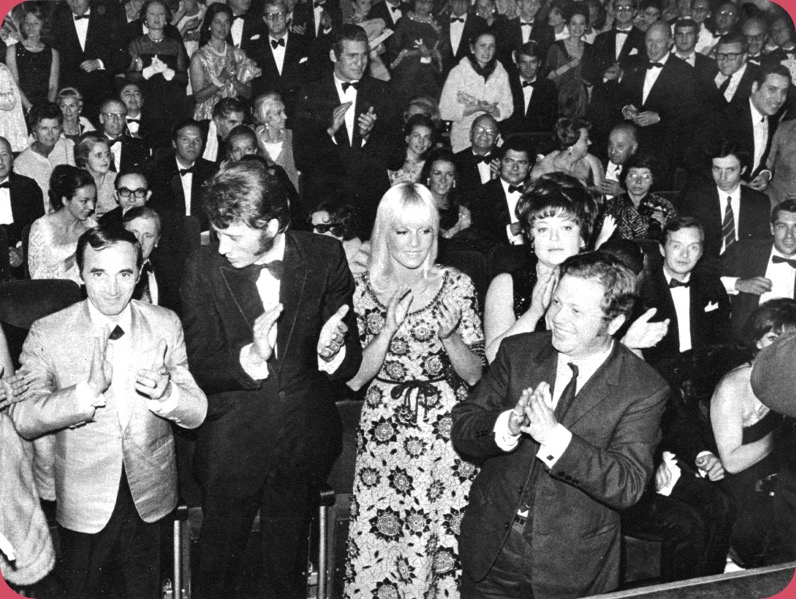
{"x": 754, "y": 122}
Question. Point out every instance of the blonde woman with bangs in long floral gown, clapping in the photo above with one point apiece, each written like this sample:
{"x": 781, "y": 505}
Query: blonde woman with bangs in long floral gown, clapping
{"x": 421, "y": 330}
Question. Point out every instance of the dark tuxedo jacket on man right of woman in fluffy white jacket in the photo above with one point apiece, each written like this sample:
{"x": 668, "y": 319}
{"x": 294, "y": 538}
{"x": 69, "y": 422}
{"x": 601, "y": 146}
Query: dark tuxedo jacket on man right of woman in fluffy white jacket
{"x": 542, "y": 112}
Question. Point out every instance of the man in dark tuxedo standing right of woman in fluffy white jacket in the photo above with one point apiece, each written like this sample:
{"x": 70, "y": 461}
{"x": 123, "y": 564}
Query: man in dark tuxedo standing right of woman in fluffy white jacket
{"x": 535, "y": 97}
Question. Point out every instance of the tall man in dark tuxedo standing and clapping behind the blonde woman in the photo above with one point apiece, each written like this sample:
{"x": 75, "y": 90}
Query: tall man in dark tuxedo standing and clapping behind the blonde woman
{"x": 346, "y": 127}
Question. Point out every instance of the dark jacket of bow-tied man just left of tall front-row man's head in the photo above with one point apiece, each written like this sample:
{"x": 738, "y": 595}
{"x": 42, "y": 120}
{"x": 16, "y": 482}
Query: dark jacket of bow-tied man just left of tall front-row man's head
{"x": 168, "y": 196}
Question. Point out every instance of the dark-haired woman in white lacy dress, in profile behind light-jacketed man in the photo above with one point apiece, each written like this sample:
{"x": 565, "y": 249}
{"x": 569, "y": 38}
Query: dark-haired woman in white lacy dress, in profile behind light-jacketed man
{"x": 53, "y": 237}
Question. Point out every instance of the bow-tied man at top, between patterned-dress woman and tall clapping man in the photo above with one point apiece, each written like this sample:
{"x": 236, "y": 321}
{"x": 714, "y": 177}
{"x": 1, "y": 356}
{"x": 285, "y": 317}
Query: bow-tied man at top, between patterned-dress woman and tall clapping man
{"x": 283, "y": 57}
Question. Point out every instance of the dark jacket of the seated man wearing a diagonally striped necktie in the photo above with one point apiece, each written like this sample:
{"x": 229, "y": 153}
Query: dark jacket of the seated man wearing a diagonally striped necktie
{"x": 753, "y": 221}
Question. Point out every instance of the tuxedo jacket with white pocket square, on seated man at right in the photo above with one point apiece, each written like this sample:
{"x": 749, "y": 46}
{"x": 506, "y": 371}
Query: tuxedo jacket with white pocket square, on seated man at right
{"x": 709, "y": 313}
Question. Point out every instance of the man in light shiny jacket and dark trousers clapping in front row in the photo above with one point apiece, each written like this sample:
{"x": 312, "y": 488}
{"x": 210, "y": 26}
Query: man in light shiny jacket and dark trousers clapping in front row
{"x": 118, "y": 374}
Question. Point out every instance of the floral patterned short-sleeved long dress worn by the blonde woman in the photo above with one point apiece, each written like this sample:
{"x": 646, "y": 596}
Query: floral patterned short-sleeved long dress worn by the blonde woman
{"x": 410, "y": 486}
